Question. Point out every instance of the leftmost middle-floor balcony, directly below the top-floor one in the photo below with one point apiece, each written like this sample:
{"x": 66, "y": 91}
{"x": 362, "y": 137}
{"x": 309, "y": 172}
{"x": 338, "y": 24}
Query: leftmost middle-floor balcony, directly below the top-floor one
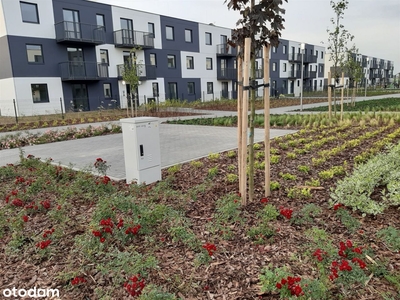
{"x": 78, "y": 71}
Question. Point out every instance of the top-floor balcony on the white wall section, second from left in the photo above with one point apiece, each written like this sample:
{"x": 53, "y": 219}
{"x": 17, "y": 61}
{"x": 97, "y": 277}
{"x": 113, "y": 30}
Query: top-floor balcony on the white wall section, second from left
{"x": 125, "y": 38}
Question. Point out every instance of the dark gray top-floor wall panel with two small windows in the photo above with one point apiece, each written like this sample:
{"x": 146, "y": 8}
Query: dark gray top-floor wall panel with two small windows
{"x": 179, "y": 34}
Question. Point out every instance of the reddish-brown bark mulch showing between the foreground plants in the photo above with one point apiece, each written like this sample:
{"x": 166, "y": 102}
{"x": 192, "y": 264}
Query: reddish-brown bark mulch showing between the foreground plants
{"x": 234, "y": 270}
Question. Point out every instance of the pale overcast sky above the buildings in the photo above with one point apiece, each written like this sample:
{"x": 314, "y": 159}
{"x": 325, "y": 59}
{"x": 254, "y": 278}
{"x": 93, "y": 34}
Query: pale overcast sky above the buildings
{"x": 374, "y": 23}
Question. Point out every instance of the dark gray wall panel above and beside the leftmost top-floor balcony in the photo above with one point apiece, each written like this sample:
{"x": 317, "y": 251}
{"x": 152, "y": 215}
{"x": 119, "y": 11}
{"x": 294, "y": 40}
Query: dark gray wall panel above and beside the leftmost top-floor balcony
{"x": 87, "y": 14}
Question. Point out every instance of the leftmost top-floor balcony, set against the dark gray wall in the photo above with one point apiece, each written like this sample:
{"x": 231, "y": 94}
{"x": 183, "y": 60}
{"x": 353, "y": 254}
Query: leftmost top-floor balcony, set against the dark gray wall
{"x": 79, "y": 33}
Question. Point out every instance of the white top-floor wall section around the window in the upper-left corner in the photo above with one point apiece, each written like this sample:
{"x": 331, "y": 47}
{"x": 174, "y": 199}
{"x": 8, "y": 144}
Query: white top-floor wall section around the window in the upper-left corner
{"x": 15, "y": 26}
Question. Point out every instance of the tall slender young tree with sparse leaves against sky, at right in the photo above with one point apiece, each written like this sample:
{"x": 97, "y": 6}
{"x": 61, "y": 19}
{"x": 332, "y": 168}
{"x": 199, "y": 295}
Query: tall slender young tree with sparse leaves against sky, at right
{"x": 338, "y": 38}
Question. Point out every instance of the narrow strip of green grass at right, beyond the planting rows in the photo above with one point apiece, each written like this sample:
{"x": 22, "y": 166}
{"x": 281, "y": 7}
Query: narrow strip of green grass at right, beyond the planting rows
{"x": 387, "y": 104}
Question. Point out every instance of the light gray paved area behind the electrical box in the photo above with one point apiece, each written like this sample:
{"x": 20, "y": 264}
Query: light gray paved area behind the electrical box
{"x": 179, "y": 143}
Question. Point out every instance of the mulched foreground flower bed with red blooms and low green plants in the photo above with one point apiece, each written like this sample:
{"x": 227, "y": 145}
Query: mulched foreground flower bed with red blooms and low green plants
{"x": 189, "y": 237}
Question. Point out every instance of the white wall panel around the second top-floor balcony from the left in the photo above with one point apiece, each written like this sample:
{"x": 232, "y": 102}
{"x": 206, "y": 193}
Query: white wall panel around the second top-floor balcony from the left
{"x": 140, "y": 21}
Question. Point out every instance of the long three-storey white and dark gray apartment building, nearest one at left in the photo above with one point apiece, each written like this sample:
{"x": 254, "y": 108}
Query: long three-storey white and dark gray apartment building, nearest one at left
{"x": 70, "y": 54}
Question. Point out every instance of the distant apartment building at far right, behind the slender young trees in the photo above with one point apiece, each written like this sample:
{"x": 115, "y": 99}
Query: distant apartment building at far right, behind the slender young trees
{"x": 376, "y": 71}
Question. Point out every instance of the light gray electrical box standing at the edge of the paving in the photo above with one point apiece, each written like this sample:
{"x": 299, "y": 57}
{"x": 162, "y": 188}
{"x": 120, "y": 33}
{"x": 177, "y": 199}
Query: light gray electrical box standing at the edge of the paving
{"x": 141, "y": 139}
